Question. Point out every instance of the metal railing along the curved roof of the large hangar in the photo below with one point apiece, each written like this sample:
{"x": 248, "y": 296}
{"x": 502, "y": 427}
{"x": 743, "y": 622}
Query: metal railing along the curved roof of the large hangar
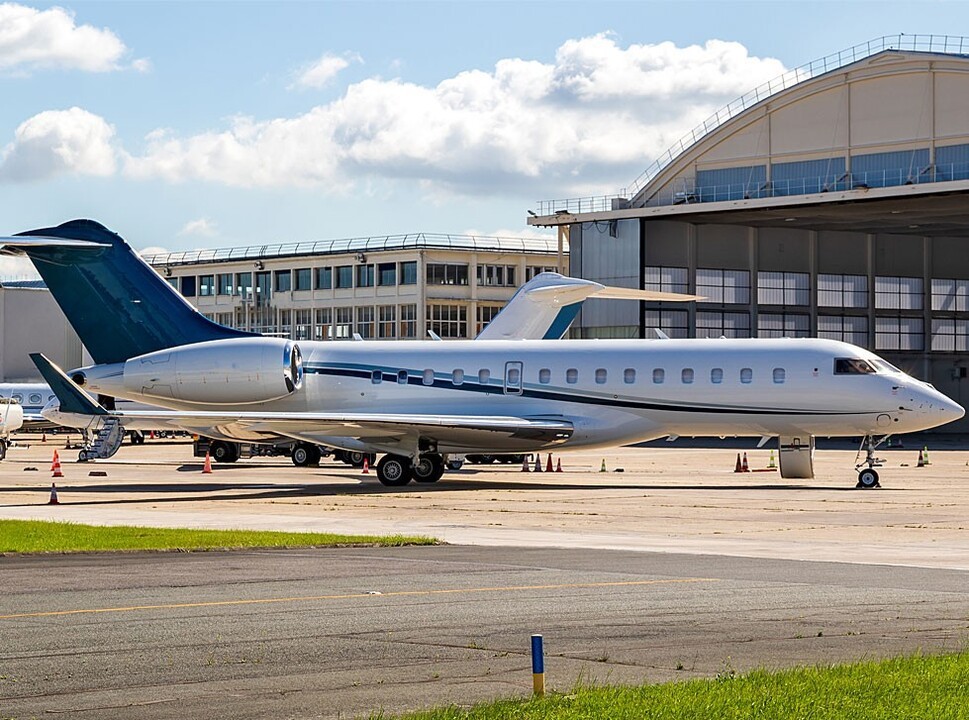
{"x": 942, "y": 44}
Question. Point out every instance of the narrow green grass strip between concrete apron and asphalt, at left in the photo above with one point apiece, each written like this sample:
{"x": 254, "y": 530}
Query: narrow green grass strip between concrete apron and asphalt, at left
{"x": 38, "y": 536}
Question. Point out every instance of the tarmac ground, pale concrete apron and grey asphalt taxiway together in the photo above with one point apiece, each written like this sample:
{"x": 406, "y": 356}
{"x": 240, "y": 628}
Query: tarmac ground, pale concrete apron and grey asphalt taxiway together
{"x": 674, "y": 568}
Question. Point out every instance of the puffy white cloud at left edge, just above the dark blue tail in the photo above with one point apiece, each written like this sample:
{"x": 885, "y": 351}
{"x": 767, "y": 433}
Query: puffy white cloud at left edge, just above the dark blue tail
{"x": 55, "y": 142}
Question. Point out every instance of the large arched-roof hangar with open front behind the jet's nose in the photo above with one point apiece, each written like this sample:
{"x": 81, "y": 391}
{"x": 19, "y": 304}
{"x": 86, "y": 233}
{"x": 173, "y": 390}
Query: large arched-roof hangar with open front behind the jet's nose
{"x": 832, "y": 202}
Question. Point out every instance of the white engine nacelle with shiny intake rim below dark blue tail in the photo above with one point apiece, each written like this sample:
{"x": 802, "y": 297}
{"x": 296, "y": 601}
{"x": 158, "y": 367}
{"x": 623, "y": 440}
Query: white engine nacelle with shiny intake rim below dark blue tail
{"x": 219, "y": 372}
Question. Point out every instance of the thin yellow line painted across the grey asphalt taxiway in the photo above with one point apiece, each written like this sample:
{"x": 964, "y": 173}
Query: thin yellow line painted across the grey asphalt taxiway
{"x": 352, "y": 596}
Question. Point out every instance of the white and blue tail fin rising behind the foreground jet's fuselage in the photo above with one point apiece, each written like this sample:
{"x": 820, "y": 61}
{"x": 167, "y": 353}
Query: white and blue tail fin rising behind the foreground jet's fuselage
{"x": 545, "y": 306}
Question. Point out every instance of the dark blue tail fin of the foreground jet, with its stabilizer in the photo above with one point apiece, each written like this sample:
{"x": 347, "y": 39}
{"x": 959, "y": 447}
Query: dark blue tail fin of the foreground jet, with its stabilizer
{"x": 118, "y": 305}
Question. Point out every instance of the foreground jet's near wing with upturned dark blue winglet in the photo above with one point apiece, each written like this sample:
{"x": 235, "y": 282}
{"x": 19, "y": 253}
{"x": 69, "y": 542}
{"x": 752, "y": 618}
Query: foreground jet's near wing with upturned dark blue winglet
{"x": 391, "y": 430}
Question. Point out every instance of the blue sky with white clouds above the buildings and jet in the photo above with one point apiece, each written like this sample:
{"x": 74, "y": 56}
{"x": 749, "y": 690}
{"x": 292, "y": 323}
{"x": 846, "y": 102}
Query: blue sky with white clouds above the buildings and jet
{"x": 186, "y": 125}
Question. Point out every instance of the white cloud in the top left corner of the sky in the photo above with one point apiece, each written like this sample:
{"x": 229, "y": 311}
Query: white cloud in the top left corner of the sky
{"x": 31, "y": 39}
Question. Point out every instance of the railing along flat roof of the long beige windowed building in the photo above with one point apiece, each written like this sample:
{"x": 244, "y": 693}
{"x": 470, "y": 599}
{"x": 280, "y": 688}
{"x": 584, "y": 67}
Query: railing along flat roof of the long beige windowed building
{"x": 416, "y": 241}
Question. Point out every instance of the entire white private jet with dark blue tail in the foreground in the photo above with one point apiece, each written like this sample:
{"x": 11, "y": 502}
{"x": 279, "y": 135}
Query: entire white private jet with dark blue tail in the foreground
{"x": 416, "y": 401}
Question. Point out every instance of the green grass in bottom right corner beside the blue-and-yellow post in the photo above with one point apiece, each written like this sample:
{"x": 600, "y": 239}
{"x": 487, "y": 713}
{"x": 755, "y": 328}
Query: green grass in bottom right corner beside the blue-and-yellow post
{"x": 930, "y": 687}
